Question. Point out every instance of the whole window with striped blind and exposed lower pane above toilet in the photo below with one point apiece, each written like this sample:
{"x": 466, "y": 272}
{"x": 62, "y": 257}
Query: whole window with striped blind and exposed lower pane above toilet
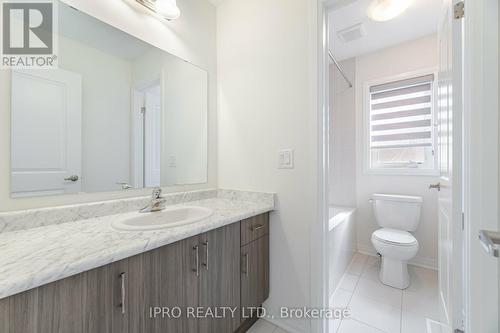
{"x": 401, "y": 129}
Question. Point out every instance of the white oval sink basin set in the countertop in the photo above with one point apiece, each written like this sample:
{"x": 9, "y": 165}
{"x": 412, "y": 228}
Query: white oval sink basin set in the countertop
{"x": 168, "y": 218}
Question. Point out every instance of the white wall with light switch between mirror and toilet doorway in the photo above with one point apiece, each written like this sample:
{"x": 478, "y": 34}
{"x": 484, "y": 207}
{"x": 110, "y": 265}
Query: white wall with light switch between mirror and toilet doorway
{"x": 266, "y": 53}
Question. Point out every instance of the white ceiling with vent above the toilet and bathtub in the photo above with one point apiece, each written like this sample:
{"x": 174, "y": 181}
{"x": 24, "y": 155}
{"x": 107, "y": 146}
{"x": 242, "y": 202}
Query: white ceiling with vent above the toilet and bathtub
{"x": 421, "y": 19}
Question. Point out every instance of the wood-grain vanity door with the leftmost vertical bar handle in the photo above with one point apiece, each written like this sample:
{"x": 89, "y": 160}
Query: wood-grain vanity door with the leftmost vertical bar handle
{"x": 103, "y": 291}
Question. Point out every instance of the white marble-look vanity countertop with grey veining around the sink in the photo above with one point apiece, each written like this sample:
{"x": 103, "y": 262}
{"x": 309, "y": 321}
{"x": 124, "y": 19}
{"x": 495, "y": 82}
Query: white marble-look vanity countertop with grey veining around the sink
{"x": 37, "y": 256}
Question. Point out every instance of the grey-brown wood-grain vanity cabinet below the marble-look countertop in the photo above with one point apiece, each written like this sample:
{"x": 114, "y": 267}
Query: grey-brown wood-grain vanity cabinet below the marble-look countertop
{"x": 202, "y": 272}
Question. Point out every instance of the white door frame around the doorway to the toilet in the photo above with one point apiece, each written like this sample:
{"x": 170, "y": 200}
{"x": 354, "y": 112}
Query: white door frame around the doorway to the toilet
{"x": 473, "y": 177}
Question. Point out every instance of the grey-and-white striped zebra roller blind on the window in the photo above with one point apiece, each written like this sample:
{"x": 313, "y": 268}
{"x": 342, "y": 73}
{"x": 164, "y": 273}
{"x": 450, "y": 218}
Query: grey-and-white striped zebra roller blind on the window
{"x": 401, "y": 113}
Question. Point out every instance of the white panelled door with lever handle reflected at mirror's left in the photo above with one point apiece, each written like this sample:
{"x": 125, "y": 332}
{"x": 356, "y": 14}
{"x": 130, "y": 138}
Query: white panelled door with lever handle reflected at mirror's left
{"x": 46, "y": 132}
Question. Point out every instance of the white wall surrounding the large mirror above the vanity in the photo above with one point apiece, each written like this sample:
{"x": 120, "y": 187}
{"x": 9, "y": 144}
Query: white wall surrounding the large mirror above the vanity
{"x": 191, "y": 37}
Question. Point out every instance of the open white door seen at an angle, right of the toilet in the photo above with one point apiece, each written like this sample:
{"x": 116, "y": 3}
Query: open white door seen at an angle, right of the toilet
{"x": 449, "y": 122}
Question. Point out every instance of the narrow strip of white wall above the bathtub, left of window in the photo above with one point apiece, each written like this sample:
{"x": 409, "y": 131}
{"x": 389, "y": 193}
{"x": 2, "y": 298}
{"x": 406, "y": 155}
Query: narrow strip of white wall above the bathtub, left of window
{"x": 342, "y": 181}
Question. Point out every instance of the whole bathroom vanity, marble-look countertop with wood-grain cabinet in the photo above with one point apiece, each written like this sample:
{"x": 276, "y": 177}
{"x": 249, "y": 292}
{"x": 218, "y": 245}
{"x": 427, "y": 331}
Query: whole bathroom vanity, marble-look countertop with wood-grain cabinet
{"x": 182, "y": 286}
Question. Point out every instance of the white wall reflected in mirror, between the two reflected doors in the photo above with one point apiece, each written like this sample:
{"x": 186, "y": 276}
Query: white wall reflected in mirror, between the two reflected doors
{"x": 105, "y": 87}
